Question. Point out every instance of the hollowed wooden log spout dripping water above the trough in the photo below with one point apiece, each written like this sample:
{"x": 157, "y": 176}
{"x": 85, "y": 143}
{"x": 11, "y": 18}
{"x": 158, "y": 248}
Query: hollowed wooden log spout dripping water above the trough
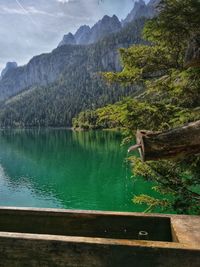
{"x": 175, "y": 143}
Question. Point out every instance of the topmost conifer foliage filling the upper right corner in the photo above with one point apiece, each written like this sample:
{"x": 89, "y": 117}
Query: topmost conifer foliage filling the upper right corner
{"x": 178, "y": 21}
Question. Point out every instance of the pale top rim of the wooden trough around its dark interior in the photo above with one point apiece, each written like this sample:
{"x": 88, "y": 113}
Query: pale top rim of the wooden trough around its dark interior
{"x": 185, "y": 229}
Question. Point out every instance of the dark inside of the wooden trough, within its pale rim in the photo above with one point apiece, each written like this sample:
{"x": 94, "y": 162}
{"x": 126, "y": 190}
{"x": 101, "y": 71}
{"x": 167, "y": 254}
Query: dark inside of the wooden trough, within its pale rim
{"x": 84, "y": 224}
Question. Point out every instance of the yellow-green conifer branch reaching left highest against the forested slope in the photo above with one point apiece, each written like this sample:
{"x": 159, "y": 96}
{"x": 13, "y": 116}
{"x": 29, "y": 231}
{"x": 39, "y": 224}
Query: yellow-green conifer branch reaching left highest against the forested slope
{"x": 135, "y": 60}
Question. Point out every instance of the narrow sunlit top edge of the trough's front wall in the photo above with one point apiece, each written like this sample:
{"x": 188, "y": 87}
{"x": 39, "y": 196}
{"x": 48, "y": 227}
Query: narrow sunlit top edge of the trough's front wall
{"x": 96, "y": 241}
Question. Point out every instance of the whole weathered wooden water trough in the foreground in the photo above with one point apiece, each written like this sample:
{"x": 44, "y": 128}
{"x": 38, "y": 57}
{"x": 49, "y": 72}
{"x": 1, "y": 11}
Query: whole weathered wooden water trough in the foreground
{"x": 46, "y": 237}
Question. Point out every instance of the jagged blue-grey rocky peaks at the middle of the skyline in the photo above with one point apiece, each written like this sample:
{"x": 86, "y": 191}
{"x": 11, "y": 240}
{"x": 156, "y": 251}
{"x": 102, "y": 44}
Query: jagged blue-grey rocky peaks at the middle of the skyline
{"x": 86, "y": 35}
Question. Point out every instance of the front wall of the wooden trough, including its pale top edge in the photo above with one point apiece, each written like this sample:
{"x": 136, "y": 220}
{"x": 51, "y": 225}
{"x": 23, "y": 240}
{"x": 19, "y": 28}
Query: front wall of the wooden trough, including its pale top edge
{"x": 49, "y": 251}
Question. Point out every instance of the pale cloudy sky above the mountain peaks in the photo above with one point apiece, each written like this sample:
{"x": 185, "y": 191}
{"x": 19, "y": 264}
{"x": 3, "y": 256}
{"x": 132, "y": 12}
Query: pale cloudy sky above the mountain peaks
{"x": 32, "y": 27}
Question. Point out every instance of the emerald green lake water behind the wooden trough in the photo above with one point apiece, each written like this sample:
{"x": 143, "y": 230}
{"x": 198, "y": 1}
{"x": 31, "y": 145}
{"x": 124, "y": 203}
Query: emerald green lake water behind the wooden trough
{"x": 65, "y": 169}
